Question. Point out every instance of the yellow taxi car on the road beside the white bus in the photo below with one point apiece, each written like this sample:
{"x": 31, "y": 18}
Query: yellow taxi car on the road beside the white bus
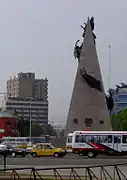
{"x": 47, "y": 149}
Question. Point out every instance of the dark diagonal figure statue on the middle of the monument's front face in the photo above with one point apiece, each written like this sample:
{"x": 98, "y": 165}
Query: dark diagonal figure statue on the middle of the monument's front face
{"x": 91, "y": 81}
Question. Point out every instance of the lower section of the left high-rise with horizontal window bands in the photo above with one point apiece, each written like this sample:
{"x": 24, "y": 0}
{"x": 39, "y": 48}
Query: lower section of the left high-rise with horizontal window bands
{"x": 28, "y": 108}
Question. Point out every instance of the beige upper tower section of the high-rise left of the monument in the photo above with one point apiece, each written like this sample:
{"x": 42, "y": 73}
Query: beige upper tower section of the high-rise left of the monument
{"x": 26, "y": 85}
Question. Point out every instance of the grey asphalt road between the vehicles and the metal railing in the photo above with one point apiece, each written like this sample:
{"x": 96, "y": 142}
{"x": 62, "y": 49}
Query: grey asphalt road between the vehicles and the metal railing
{"x": 67, "y": 160}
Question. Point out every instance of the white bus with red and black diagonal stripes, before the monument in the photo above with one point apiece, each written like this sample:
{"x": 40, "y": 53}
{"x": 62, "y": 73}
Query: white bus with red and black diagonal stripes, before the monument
{"x": 92, "y": 143}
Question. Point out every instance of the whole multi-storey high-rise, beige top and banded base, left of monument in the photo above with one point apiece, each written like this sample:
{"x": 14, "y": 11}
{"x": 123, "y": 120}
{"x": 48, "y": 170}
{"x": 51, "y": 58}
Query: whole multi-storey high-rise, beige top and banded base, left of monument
{"x": 28, "y": 96}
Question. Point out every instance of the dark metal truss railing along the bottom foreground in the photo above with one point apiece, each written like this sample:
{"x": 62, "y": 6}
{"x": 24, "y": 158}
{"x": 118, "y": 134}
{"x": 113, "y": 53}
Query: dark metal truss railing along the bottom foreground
{"x": 99, "y": 172}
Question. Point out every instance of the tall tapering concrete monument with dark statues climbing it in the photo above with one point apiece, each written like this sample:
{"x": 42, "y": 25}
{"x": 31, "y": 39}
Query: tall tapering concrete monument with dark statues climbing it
{"x": 88, "y": 108}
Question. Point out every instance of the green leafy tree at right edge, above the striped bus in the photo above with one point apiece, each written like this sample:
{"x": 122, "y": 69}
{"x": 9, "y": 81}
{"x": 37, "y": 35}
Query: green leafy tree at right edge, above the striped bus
{"x": 119, "y": 121}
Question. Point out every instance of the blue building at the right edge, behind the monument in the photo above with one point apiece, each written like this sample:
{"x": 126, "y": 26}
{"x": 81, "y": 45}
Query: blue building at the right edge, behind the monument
{"x": 120, "y": 98}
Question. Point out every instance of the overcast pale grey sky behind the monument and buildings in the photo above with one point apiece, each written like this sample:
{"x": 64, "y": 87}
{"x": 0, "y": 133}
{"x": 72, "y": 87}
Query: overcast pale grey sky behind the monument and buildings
{"x": 39, "y": 36}
